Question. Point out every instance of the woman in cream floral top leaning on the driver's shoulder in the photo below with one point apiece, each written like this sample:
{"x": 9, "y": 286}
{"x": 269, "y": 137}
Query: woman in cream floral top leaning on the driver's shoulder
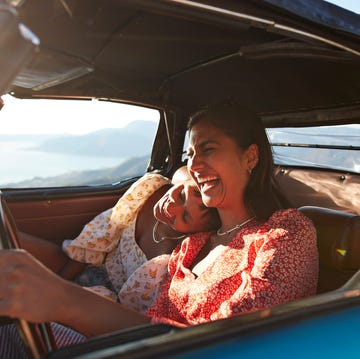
{"x": 126, "y": 264}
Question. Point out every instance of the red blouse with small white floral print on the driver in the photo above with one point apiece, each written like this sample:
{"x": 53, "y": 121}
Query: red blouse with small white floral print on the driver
{"x": 264, "y": 265}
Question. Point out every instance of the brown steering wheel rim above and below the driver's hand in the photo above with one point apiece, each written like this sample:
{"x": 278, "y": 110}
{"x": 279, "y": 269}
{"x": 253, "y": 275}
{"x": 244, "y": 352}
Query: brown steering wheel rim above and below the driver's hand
{"x": 38, "y": 338}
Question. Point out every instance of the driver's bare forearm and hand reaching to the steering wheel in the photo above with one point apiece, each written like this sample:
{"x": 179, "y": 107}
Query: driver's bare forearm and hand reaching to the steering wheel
{"x": 30, "y": 291}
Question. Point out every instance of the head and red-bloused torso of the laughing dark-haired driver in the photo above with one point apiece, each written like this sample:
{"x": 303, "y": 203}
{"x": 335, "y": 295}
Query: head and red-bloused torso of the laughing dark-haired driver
{"x": 261, "y": 255}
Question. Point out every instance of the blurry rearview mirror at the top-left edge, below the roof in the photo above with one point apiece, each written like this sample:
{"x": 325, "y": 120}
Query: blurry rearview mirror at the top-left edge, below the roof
{"x": 17, "y": 46}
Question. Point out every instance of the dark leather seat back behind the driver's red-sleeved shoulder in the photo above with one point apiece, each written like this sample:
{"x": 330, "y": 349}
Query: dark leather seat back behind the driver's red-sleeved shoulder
{"x": 338, "y": 237}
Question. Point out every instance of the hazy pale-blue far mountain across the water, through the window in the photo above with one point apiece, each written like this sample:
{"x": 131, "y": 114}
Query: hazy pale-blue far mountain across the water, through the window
{"x": 133, "y": 140}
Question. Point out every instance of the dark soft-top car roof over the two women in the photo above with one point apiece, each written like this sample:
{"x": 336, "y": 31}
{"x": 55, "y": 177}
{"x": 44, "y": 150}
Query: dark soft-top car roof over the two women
{"x": 288, "y": 60}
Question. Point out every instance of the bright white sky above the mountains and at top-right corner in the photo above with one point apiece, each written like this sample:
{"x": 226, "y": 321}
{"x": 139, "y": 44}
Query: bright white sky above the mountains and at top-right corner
{"x": 17, "y": 115}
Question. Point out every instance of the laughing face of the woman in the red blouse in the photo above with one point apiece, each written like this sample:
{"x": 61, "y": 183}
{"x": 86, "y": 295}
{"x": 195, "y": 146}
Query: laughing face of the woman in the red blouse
{"x": 217, "y": 164}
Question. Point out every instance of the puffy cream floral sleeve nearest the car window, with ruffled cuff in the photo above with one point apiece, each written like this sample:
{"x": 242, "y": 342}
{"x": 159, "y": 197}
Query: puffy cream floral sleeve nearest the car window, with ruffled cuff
{"x": 101, "y": 235}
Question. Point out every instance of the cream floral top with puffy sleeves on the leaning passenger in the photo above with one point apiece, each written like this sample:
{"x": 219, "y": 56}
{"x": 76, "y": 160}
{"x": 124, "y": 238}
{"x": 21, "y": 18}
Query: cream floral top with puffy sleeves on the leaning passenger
{"x": 110, "y": 239}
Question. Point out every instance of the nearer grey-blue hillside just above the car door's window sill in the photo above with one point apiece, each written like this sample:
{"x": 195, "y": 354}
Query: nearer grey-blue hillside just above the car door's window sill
{"x": 132, "y": 167}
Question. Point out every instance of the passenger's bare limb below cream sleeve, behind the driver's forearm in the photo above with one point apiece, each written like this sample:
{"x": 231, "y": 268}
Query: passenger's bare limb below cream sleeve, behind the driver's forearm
{"x": 51, "y": 255}
